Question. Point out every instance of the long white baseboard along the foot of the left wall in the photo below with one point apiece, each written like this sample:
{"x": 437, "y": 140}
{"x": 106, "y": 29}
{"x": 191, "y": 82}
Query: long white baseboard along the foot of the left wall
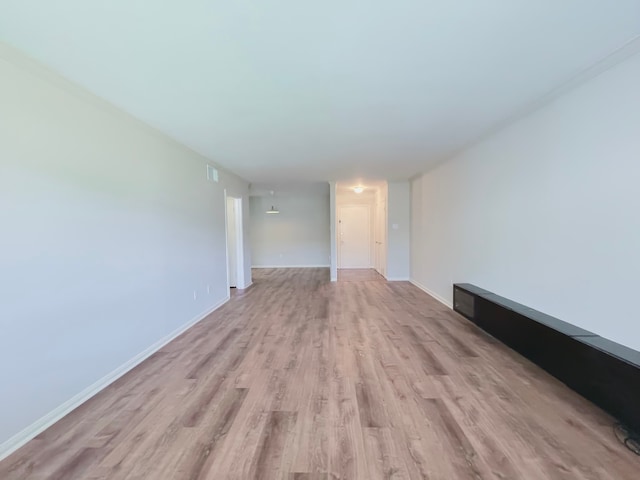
{"x": 19, "y": 439}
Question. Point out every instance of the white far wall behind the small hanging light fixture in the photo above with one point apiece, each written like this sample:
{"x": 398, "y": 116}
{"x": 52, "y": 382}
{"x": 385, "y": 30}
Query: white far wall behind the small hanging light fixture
{"x": 296, "y": 237}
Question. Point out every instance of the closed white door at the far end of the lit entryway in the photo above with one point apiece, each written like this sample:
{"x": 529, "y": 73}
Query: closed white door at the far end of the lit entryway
{"x": 354, "y": 236}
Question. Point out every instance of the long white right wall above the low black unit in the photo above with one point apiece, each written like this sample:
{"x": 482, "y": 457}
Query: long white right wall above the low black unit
{"x": 545, "y": 212}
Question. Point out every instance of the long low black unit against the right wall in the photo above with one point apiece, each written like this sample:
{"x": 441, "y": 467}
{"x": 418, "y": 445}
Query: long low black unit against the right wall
{"x": 604, "y": 372}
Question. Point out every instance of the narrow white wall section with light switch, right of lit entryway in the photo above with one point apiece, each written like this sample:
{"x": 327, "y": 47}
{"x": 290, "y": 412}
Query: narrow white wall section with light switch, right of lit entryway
{"x": 398, "y": 230}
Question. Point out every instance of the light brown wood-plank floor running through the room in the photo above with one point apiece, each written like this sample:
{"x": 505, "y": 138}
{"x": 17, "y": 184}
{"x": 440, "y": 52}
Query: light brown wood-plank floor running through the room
{"x": 298, "y": 378}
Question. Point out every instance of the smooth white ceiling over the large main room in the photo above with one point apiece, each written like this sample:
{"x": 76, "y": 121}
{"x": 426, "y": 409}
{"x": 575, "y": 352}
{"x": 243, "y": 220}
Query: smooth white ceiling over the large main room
{"x": 288, "y": 90}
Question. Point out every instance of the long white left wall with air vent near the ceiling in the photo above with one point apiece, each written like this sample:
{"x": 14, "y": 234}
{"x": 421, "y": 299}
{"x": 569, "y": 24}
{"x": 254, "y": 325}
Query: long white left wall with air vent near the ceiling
{"x": 108, "y": 229}
